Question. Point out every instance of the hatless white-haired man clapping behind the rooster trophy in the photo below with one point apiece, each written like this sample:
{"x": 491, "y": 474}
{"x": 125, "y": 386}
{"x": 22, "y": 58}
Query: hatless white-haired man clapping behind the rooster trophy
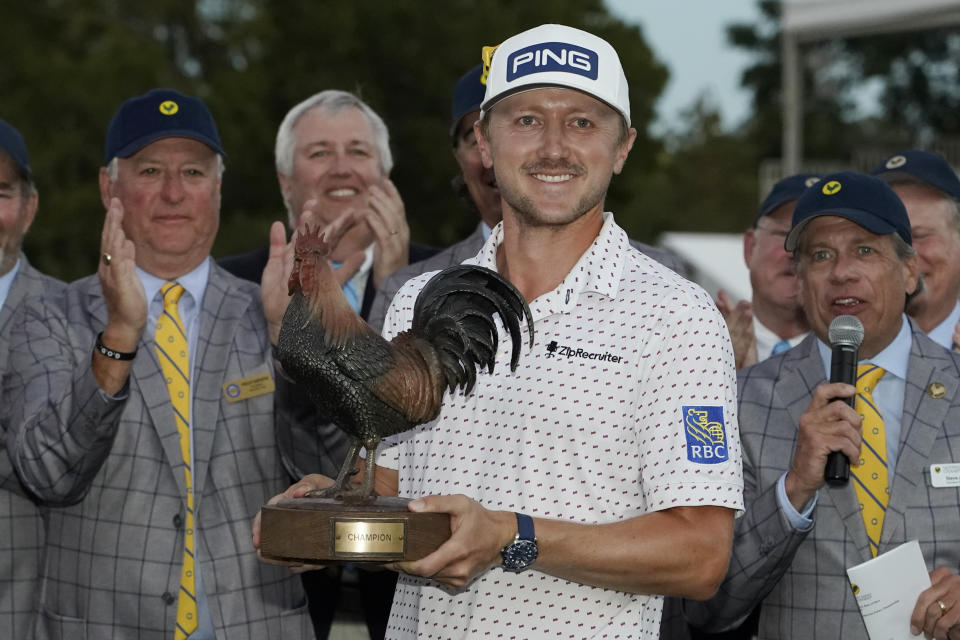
{"x": 333, "y": 157}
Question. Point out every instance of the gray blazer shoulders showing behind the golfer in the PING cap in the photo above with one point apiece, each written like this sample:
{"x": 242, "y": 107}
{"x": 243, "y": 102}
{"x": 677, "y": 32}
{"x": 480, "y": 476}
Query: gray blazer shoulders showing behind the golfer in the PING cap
{"x": 468, "y": 248}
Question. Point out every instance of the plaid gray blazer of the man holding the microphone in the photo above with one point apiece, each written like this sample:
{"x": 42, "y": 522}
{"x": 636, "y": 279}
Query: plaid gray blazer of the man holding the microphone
{"x": 800, "y": 576}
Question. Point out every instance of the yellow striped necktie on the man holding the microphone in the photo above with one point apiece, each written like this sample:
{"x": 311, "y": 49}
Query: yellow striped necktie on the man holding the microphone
{"x": 870, "y": 474}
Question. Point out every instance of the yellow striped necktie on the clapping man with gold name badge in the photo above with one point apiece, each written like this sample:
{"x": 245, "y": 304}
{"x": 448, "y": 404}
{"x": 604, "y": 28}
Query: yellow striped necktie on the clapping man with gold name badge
{"x": 172, "y": 351}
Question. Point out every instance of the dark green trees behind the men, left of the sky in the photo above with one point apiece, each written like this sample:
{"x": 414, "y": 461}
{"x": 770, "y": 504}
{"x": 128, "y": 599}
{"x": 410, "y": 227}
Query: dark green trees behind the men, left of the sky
{"x": 67, "y": 66}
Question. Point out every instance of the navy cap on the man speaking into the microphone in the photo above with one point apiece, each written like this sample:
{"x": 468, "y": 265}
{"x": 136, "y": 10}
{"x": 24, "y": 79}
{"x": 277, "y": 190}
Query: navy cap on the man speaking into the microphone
{"x": 858, "y": 197}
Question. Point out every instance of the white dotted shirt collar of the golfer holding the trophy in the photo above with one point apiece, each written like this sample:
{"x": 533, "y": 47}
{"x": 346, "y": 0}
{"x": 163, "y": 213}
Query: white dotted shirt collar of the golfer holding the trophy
{"x": 598, "y": 270}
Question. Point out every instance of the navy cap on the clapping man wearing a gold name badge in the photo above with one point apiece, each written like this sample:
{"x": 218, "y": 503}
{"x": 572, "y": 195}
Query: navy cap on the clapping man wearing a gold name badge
{"x": 159, "y": 113}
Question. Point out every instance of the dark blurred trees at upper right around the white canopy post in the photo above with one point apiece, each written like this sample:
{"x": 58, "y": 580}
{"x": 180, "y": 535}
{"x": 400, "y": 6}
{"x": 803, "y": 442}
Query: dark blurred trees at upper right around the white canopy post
{"x": 916, "y": 72}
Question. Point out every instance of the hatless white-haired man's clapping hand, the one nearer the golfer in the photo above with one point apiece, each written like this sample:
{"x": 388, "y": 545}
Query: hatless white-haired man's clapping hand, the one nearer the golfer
{"x": 388, "y": 221}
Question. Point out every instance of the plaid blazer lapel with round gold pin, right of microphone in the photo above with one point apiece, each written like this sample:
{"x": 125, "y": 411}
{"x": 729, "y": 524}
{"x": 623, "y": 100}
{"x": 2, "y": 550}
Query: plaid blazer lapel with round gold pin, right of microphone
{"x": 932, "y": 383}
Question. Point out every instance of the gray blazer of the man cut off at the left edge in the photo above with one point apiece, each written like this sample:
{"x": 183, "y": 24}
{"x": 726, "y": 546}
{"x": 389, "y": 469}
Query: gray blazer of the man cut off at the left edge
{"x": 21, "y": 527}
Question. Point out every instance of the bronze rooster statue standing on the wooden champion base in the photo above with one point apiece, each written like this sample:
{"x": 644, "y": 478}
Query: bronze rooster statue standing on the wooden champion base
{"x": 372, "y": 388}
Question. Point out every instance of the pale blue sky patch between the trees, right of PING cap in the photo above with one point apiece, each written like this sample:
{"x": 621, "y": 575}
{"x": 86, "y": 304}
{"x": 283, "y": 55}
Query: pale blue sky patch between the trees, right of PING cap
{"x": 689, "y": 37}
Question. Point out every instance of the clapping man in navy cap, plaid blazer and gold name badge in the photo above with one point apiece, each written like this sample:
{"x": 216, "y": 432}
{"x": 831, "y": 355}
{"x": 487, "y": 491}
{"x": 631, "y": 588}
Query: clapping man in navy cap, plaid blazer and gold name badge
{"x": 143, "y": 409}
